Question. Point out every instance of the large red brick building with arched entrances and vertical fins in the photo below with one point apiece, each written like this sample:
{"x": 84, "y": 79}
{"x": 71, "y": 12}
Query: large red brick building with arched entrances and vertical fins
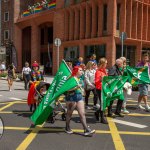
{"x": 84, "y": 27}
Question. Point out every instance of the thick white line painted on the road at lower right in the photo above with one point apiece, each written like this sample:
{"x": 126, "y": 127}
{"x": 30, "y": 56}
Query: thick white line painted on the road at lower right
{"x": 129, "y": 123}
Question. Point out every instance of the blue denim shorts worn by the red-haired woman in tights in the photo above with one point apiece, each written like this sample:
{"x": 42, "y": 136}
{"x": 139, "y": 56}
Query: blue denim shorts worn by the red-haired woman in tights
{"x": 75, "y": 97}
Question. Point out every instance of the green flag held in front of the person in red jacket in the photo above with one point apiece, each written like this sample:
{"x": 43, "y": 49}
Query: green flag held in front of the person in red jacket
{"x": 112, "y": 88}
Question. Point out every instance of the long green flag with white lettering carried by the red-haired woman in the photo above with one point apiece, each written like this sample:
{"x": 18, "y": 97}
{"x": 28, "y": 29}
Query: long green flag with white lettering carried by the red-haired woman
{"x": 60, "y": 84}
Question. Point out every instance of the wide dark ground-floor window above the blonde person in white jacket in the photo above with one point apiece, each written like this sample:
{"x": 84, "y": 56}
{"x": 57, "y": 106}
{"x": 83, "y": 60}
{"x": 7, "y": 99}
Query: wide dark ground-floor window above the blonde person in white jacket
{"x": 99, "y": 50}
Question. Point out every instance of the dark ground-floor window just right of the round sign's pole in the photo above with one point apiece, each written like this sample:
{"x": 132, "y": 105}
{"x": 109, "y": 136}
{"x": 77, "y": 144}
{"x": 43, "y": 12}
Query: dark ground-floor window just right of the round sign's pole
{"x": 71, "y": 53}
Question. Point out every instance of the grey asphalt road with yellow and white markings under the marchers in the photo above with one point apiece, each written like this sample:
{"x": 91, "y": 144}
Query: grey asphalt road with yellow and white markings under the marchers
{"x": 19, "y": 133}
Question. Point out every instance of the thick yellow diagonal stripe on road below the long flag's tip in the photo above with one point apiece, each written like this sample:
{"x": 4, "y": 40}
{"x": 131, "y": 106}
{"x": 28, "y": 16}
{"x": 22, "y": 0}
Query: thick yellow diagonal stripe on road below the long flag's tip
{"x": 29, "y": 138}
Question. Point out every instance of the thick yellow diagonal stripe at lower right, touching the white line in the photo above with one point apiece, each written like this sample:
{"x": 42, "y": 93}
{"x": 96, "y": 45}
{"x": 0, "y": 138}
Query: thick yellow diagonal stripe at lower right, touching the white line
{"x": 115, "y": 135}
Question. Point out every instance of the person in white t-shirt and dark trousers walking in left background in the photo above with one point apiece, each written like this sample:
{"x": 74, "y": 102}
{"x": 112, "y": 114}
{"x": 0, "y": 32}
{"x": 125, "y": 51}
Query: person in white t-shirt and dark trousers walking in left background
{"x": 26, "y": 74}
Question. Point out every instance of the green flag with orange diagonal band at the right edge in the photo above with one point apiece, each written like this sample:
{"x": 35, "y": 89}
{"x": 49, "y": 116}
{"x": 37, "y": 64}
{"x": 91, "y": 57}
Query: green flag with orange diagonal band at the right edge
{"x": 138, "y": 75}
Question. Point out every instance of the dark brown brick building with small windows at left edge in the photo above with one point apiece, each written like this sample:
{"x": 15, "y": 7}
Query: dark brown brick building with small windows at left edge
{"x": 6, "y": 26}
